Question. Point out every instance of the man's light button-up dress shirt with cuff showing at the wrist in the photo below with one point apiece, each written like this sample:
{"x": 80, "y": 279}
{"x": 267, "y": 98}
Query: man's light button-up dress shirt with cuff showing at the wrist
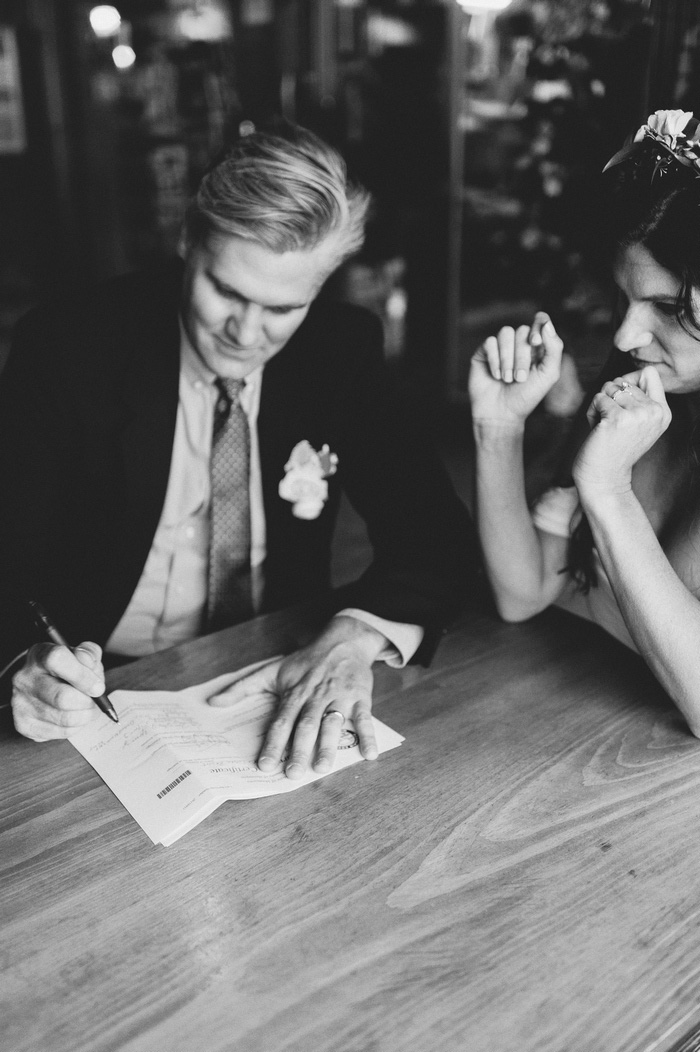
{"x": 170, "y": 601}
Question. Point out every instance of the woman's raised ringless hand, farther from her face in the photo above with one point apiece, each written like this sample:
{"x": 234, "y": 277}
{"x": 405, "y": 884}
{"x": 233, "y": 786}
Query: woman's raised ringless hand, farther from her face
{"x": 513, "y": 372}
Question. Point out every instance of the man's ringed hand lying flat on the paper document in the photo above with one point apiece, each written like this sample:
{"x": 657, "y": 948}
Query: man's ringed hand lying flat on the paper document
{"x": 333, "y": 675}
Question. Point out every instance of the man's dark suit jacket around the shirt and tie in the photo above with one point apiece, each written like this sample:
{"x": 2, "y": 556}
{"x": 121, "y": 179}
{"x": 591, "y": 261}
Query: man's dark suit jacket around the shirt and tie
{"x": 88, "y": 412}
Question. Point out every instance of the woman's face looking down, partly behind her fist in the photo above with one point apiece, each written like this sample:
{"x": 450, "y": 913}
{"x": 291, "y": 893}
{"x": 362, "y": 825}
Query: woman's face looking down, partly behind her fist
{"x": 651, "y": 332}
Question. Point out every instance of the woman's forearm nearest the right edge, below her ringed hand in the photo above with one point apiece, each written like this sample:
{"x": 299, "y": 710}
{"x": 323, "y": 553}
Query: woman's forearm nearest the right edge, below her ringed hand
{"x": 663, "y": 616}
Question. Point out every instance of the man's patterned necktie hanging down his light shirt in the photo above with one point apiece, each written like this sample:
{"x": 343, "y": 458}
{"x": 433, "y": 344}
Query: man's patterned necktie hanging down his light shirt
{"x": 230, "y": 600}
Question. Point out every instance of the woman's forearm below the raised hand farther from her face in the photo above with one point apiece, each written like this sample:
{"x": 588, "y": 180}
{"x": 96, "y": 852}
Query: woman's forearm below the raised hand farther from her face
{"x": 517, "y": 570}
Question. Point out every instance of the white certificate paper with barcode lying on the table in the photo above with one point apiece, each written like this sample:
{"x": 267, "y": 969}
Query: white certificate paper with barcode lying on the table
{"x": 173, "y": 759}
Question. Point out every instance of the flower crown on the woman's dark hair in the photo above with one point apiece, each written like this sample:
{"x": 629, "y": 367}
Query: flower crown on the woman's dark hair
{"x": 676, "y": 135}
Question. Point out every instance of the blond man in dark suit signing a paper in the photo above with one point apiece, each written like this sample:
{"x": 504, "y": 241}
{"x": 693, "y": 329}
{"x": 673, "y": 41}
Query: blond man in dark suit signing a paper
{"x": 145, "y": 420}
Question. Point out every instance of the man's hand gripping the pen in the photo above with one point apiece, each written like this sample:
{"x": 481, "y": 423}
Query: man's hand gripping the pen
{"x": 53, "y": 693}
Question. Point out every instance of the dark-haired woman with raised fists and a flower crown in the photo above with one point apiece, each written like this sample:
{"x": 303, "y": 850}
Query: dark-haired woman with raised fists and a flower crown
{"x": 621, "y": 542}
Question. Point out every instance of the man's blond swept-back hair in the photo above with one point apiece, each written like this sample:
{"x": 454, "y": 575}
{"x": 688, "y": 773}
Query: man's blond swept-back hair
{"x": 286, "y": 190}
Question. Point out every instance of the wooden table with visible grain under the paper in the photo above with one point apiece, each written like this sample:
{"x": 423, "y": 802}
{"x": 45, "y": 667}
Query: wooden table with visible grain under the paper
{"x": 522, "y": 876}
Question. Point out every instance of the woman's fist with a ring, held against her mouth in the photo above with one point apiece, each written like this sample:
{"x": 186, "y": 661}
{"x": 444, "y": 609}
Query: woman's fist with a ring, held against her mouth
{"x": 628, "y": 417}
